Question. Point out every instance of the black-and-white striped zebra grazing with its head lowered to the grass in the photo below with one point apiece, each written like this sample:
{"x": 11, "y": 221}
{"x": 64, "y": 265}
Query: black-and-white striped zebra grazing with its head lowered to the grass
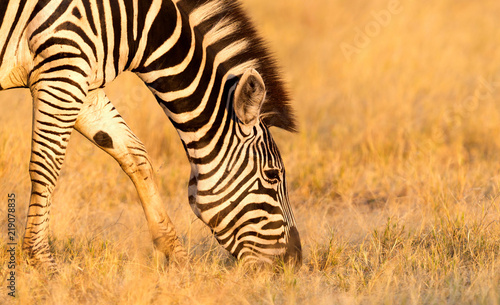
{"x": 200, "y": 59}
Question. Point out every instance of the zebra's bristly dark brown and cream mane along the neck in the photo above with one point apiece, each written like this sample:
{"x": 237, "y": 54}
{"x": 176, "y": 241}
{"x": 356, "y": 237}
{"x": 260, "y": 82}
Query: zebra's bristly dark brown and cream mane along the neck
{"x": 229, "y": 18}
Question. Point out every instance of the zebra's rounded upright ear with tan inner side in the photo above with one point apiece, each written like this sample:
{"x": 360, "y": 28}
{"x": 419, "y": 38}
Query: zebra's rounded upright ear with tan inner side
{"x": 249, "y": 97}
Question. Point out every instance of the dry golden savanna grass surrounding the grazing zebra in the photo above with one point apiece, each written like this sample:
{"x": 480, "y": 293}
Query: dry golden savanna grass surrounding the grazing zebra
{"x": 394, "y": 176}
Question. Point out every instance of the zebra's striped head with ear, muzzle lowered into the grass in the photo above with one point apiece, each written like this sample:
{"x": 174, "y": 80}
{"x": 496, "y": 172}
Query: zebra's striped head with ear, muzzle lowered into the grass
{"x": 241, "y": 195}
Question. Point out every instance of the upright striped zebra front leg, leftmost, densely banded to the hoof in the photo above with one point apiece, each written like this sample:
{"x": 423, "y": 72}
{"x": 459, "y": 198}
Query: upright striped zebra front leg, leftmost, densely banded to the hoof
{"x": 55, "y": 109}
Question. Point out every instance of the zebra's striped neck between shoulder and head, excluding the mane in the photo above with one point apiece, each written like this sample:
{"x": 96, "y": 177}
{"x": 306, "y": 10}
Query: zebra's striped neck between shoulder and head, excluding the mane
{"x": 190, "y": 77}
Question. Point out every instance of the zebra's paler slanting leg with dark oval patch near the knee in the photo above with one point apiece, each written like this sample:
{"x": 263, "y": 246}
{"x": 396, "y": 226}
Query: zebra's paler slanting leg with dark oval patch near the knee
{"x": 101, "y": 123}
